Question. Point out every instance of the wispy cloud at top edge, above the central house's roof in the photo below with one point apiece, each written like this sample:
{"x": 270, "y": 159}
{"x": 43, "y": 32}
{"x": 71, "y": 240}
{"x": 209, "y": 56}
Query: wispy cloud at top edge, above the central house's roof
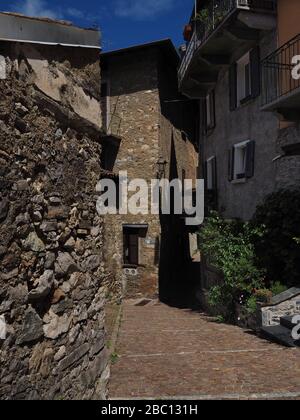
{"x": 142, "y": 9}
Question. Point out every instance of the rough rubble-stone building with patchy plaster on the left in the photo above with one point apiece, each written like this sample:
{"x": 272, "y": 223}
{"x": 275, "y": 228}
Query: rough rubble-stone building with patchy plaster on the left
{"x": 52, "y": 279}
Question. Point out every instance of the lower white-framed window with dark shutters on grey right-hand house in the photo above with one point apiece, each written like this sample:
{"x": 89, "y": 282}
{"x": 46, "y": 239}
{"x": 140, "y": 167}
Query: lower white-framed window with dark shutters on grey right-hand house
{"x": 241, "y": 161}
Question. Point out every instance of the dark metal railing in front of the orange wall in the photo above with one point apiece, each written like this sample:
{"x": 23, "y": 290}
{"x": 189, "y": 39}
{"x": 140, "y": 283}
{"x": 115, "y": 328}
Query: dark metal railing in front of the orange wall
{"x": 279, "y": 75}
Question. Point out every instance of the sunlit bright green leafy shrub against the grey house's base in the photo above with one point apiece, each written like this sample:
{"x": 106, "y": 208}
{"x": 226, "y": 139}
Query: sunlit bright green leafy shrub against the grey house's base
{"x": 228, "y": 246}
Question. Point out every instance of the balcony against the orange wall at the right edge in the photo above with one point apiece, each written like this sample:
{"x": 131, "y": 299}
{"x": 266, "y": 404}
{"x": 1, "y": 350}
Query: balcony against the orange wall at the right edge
{"x": 281, "y": 81}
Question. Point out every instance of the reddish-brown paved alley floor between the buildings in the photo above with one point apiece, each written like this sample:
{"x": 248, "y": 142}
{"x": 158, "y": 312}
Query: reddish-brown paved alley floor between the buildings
{"x": 168, "y": 353}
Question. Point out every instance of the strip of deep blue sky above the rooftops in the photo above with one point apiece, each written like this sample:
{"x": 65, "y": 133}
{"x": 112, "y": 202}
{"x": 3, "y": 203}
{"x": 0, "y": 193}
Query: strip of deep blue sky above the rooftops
{"x": 123, "y": 22}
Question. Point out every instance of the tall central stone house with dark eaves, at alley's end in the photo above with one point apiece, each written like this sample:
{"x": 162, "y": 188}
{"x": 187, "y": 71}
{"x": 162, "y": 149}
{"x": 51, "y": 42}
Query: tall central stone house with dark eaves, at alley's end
{"x": 154, "y": 130}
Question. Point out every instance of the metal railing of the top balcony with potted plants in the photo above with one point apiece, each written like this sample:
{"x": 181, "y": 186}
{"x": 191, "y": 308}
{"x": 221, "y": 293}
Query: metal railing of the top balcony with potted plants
{"x": 211, "y": 17}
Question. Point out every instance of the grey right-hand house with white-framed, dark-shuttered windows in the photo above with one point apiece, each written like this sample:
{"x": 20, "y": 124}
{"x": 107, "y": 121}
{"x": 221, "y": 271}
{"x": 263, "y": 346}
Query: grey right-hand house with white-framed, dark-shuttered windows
{"x": 241, "y": 143}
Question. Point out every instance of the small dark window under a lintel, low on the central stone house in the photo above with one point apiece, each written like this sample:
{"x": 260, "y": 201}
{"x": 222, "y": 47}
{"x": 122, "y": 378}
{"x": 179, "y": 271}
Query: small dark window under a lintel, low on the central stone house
{"x": 131, "y": 241}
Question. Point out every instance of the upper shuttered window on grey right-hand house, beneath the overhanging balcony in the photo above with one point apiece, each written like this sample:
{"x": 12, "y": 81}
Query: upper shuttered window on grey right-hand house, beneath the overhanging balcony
{"x": 244, "y": 79}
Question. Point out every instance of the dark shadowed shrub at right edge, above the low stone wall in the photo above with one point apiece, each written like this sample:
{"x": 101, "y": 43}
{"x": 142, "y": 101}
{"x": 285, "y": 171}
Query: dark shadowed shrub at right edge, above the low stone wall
{"x": 278, "y": 249}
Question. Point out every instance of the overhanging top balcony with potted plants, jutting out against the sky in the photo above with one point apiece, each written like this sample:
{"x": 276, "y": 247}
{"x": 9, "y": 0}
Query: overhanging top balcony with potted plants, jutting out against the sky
{"x": 222, "y": 31}
